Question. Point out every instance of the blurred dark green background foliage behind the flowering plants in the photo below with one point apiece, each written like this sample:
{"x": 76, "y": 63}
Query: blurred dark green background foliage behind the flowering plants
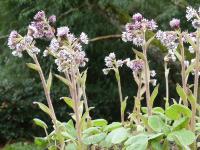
{"x": 19, "y": 86}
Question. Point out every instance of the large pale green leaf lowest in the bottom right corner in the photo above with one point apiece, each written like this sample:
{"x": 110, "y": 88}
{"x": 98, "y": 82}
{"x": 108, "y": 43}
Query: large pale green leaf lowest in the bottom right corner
{"x": 182, "y": 137}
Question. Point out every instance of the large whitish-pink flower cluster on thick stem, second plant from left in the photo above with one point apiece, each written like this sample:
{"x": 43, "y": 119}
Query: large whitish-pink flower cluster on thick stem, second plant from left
{"x": 67, "y": 49}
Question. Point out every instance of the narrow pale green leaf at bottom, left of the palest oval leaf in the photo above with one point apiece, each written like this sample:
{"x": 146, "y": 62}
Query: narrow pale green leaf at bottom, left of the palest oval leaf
{"x": 94, "y": 139}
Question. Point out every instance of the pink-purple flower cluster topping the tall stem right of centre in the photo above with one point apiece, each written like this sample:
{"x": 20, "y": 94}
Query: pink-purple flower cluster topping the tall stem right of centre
{"x": 135, "y": 29}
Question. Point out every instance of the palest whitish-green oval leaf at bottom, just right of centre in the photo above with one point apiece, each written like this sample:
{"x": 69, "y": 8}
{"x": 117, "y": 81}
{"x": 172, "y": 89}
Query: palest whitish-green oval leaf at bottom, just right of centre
{"x": 117, "y": 136}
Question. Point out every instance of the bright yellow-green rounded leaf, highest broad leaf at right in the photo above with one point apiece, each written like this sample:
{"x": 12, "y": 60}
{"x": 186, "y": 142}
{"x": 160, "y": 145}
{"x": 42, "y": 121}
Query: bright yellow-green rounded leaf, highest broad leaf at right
{"x": 175, "y": 111}
